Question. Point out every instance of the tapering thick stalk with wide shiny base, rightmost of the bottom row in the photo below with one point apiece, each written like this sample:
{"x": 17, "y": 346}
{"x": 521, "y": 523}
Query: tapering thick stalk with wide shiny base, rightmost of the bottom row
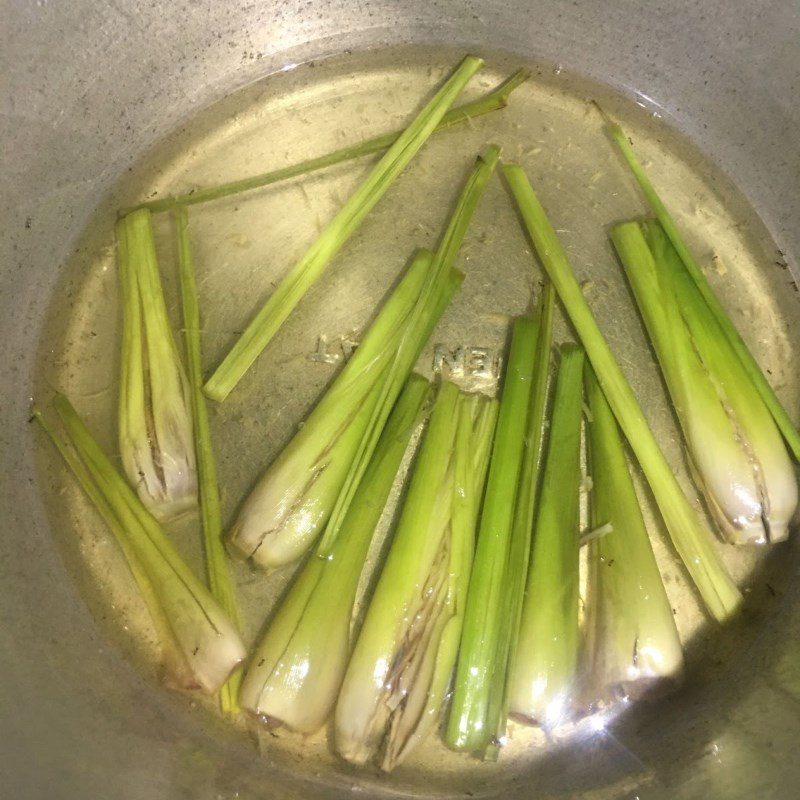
{"x": 632, "y": 644}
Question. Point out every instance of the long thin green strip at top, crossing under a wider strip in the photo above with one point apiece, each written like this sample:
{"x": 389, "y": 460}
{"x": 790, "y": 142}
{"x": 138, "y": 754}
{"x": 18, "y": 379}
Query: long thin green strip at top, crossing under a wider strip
{"x": 492, "y": 101}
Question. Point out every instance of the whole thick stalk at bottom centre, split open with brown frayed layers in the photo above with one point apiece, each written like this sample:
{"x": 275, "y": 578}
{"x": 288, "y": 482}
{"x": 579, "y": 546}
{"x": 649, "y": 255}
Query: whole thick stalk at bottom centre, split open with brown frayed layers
{"x": 403, "y": 659}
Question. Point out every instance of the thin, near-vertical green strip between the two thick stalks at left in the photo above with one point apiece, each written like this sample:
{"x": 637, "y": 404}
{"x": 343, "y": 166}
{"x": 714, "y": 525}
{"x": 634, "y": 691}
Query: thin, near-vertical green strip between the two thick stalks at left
{"x": 218, "y": 574}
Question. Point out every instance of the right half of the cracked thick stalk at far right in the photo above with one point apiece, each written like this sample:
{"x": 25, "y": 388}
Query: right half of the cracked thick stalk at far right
{"x": 755, "y": 428}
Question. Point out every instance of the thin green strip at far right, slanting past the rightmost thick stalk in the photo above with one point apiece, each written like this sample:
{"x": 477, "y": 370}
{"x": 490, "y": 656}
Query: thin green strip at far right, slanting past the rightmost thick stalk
{"x": 748, "y": 362}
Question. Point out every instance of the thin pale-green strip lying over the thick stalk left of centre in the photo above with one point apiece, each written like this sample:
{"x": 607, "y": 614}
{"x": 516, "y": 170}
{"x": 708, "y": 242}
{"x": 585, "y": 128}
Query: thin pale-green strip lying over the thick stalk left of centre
{"x": 444, "y": 259}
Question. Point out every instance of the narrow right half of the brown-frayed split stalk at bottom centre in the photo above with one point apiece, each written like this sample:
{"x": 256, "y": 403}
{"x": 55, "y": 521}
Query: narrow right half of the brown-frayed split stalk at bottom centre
{"x": 420, "y": 712}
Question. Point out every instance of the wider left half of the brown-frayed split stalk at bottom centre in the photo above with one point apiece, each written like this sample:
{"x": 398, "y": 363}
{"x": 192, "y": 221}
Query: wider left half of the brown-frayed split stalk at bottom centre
{"x": 394, "y": 657}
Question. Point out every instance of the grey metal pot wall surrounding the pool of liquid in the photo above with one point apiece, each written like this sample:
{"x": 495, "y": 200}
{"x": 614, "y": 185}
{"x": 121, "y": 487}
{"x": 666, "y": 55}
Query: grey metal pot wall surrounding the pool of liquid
{"x": 88, "y": 88}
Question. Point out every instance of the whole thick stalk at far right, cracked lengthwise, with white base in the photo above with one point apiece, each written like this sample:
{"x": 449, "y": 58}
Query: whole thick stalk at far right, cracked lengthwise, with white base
{"x": 736, "y": 450}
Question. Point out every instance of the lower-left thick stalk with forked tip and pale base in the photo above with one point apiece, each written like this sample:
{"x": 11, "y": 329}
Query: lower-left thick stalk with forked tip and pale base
{"x": 200, "y": 645}
